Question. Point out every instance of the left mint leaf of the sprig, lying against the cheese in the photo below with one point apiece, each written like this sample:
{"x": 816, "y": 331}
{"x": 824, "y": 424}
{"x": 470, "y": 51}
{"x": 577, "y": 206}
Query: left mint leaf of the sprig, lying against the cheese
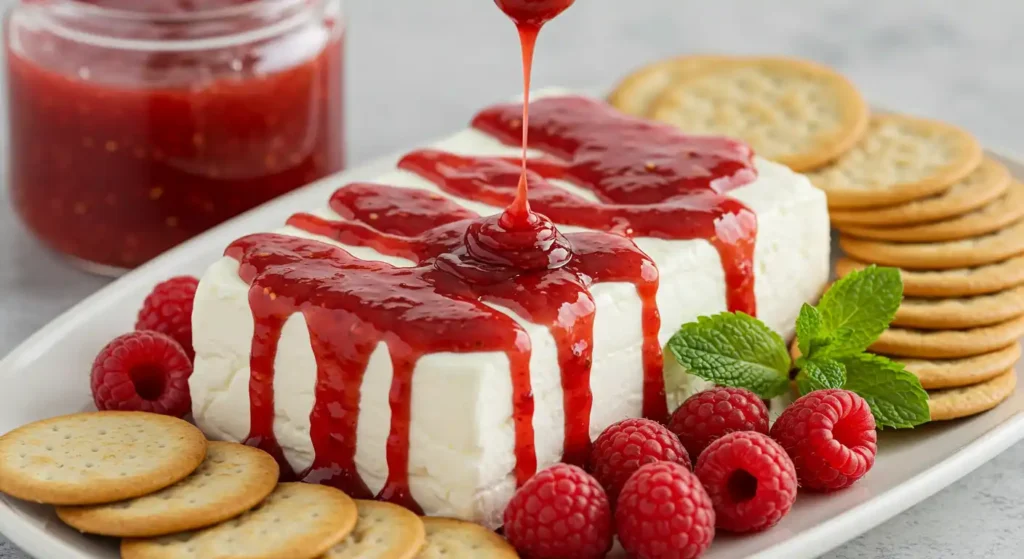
{"x": 734, "y": 350}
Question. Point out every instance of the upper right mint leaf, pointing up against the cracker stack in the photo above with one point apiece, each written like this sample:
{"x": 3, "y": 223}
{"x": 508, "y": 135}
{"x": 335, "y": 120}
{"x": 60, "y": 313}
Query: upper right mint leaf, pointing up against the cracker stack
{"x": 858, "y": 310}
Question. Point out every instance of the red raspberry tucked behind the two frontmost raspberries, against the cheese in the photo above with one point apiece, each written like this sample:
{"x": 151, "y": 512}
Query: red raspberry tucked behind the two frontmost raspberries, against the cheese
{"x": 627, "y": 446}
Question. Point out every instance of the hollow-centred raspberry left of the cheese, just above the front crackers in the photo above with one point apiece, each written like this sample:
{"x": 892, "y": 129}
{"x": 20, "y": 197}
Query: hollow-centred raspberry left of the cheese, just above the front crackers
{"x": 143, "y": 372}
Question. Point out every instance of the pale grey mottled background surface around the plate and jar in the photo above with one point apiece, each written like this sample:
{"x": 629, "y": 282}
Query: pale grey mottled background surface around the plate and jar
{"x": 419, "y": 69}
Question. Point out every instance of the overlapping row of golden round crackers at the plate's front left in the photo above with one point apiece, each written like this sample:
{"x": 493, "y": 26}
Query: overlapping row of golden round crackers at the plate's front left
{"x": 156, "y": 483}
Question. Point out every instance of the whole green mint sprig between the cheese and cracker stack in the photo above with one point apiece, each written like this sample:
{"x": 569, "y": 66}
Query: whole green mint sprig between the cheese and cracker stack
{"x": 736, "y": 350}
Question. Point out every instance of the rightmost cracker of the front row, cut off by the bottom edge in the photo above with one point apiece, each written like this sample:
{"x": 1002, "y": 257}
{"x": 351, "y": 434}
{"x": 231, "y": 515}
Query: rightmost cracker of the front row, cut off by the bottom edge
{"x": 450, "y": 539}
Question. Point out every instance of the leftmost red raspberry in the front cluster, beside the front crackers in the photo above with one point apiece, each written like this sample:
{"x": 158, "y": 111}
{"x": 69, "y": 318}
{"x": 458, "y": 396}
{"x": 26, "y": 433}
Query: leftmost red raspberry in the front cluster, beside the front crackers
{"x": 561, "y": 512}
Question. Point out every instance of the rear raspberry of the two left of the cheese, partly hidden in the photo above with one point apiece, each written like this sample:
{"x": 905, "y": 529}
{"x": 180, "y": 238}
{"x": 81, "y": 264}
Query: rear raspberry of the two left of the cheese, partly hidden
{"x": 168, "y": 310}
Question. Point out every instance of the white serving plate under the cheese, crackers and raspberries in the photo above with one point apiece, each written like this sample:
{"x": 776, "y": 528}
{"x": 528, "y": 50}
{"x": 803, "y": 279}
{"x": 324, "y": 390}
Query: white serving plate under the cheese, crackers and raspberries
{"x": 49, "y": 375}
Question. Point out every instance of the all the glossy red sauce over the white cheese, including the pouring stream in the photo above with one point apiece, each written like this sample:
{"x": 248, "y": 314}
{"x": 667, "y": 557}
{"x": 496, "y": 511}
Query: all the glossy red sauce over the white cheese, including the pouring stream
{"x": 650, "y": 181}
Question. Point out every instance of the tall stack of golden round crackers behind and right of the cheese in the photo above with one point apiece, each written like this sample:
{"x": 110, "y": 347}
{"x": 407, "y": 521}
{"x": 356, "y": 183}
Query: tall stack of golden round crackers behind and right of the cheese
{"x": 904, "y": 192}
